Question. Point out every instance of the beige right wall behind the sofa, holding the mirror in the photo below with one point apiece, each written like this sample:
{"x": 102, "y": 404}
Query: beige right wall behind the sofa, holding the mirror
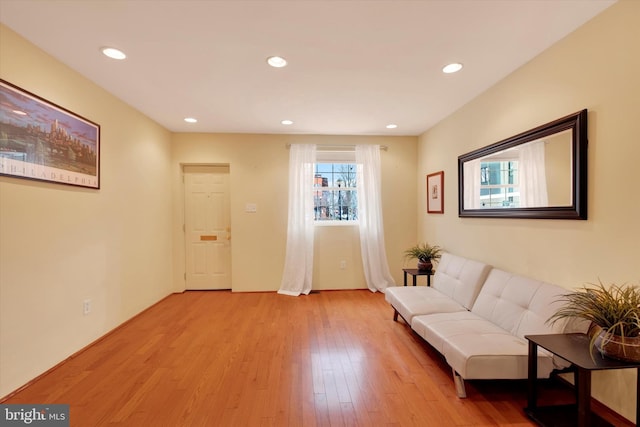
{"x": 597, "y": 68}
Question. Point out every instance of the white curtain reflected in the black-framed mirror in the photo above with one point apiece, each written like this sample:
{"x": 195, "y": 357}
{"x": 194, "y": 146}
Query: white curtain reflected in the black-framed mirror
{"x": 533, "y": 179}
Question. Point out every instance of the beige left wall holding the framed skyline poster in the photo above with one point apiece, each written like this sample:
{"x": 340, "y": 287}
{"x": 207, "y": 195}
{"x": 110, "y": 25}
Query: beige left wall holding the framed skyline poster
{"x": 60, "y": 245}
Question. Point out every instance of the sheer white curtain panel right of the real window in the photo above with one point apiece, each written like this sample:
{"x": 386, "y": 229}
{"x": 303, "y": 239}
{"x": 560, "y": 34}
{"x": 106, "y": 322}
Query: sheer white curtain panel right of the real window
{"x": 374, "y": 256}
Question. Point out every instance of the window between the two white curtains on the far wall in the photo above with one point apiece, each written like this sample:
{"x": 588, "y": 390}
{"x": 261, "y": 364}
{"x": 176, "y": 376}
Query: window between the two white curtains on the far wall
{"x": 336, "y": 197}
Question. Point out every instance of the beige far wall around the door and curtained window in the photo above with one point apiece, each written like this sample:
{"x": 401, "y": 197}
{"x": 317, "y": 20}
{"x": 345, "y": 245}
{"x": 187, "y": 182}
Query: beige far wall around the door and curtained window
{"x": 259, "y": 173}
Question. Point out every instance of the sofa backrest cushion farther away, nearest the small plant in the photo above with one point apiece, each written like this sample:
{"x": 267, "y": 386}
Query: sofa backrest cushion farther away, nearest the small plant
{"x": 460, "y": 278}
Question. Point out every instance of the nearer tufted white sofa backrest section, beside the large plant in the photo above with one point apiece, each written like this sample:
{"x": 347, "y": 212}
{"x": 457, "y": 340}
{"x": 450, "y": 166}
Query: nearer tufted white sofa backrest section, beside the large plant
{"x": 518, "y": 304}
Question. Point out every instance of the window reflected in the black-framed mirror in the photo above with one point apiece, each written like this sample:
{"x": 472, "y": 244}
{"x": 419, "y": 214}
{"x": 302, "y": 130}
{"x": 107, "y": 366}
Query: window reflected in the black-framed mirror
{"x": 499, "y": 184}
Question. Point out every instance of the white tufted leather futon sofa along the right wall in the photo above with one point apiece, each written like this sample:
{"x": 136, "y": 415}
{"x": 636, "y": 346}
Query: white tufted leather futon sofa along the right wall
{"x": 477, "y": 316}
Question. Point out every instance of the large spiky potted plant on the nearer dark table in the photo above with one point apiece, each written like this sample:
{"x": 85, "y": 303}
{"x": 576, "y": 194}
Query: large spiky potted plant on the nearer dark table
{"x": 614, "y": 313}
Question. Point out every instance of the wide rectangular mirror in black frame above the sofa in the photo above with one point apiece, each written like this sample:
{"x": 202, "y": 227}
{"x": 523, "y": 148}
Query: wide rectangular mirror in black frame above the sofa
{"x": 540, "y": 173}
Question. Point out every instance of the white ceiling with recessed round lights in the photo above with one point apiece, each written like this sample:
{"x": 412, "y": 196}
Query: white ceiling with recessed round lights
{"x": 354, "y": 66}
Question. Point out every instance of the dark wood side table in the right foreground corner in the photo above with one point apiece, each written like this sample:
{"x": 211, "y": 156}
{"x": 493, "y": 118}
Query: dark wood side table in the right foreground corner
{"x": 574, "y": 348}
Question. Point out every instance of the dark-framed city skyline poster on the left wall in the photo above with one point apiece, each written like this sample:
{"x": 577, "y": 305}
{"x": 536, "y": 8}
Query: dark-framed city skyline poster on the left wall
{"x": 42, "y": 141}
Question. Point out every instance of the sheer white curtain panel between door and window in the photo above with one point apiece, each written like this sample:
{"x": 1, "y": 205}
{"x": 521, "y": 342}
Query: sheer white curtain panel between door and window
{"x": 298, "y": 264}
